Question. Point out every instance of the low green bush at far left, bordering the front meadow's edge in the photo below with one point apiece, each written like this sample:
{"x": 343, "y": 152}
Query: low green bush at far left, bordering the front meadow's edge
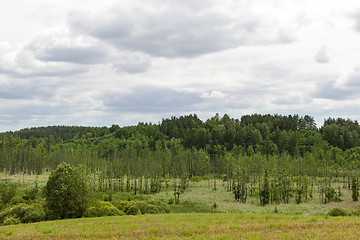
{"x": 26, "y": 213}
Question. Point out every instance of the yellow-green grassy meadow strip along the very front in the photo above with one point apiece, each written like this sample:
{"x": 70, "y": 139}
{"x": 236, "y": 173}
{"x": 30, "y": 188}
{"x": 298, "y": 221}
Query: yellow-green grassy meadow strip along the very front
{"x": 191, "y": 226}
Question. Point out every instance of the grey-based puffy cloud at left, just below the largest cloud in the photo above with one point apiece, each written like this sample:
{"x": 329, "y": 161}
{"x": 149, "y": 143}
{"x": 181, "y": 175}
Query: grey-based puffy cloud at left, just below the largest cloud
{"x": 79, "y": 50}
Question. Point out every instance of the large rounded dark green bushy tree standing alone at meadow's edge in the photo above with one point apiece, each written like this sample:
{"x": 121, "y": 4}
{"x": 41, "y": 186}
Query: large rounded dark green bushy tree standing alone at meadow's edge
{"x": 66, "y": 192}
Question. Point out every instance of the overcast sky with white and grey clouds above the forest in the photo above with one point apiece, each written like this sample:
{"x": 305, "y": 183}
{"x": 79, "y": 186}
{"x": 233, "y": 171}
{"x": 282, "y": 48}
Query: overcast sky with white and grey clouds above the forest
{"x": 98, "y": 63}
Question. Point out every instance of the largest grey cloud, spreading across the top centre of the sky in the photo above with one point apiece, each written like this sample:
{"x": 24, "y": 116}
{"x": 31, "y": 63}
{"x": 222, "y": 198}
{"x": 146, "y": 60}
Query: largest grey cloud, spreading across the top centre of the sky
{"x": 175, "y": 29}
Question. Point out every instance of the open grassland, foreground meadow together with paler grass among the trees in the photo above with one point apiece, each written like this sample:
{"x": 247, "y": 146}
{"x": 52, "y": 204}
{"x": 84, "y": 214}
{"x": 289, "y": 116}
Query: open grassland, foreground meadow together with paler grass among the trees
{"x": 203, "y": 214}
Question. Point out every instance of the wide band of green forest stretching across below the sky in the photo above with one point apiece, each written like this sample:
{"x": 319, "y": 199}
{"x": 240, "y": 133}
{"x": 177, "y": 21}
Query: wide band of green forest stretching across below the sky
{"x": 275, "y": 158}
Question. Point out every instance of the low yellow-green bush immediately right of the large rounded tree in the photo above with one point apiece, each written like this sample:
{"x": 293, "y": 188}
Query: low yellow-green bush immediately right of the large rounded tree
{"x": 101, "y": 209}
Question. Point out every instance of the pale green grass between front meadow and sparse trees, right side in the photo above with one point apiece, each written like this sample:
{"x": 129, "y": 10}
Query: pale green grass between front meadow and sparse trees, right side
{"x": 201, "y": 196}
